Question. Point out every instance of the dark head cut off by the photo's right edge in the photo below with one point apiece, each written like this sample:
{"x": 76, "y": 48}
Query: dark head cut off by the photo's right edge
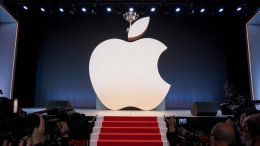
{"x": 250, "y": 129}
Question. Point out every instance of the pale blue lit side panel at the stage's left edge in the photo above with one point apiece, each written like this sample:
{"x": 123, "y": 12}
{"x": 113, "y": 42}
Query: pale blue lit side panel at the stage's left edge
{"x": 8, "y": 37}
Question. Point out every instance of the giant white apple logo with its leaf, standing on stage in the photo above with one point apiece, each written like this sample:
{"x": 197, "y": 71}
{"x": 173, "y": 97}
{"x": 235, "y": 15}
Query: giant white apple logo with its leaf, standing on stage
{"x": 125, "y": 74}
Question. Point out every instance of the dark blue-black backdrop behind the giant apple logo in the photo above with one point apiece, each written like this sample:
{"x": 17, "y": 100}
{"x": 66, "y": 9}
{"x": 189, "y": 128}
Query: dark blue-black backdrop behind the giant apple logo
{"x": 203, "y": 53}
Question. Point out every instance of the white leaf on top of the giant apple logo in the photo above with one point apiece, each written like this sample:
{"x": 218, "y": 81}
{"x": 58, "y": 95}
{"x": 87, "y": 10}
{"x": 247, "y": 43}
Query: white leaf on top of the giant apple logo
{"x": 137, "y": 30}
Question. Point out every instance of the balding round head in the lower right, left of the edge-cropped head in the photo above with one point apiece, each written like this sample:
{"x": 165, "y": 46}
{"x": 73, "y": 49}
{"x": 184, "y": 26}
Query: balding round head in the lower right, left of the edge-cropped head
{"x": 222, "y": 134}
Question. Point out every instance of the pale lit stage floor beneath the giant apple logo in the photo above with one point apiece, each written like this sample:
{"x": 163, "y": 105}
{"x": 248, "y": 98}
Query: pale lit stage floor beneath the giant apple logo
{"x": 92, "y": 112}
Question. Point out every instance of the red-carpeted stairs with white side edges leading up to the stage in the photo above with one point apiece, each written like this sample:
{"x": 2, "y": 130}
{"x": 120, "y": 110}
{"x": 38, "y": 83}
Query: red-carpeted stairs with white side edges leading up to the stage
{"x": 129, "y": 131}
